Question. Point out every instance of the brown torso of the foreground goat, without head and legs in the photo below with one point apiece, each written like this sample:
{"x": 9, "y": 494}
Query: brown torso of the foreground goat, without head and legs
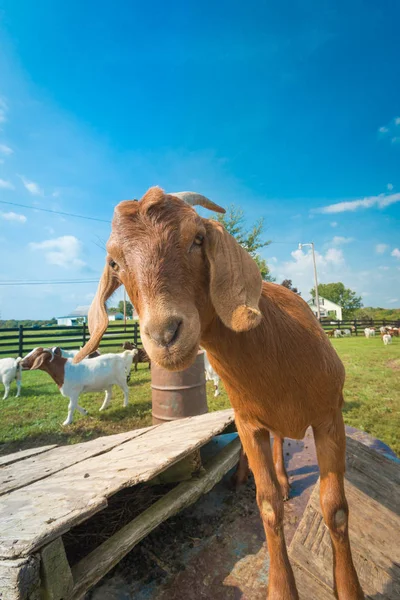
{"x": 285, "y": 372}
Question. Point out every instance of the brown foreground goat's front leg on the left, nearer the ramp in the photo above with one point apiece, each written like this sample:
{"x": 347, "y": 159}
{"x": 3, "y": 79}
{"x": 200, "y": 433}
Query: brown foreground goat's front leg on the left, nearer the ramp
{"x": 256, "y": 445}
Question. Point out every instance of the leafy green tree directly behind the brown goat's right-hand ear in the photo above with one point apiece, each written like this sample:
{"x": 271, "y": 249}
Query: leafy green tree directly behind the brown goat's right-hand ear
{"x": 250, "y": 239}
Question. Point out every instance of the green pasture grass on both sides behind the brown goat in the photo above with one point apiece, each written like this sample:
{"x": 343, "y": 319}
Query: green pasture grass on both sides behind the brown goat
{"x": 372, "y": 395}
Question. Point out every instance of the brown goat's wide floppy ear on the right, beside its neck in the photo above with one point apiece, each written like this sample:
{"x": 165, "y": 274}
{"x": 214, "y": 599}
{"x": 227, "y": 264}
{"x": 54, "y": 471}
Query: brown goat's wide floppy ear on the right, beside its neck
{"x": 235, "y": 280}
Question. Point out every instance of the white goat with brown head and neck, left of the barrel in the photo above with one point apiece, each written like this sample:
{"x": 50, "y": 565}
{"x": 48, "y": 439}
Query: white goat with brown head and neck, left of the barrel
{"x": 95, "y": 375}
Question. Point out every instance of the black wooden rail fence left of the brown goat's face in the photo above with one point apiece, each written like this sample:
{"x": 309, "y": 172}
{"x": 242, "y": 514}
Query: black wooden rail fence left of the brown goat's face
{"x": 18, "y": 341}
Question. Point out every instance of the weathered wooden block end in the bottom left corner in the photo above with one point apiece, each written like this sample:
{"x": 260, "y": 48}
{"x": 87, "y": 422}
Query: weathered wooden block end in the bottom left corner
{"x": 20, "y": 579}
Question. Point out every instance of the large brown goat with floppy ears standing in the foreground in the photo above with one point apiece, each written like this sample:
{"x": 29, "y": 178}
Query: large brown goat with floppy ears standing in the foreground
{"x": 193, "y": 284}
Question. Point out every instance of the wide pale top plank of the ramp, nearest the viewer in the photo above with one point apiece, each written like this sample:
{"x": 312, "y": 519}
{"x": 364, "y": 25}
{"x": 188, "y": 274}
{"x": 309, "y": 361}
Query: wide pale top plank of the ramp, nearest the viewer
{"x": 34, "y": 515}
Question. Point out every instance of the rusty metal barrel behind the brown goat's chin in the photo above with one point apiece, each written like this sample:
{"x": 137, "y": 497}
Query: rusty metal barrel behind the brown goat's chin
{"x": 178, "y": 394}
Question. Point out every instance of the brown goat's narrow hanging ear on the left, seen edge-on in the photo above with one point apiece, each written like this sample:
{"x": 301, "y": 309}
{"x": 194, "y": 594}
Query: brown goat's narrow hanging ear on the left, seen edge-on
{"x": 97, "y": 317}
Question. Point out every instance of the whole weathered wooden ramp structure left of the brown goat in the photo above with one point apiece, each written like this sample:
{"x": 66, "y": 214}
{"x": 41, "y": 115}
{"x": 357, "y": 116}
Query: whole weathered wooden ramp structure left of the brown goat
{"x": 45, "y": 493}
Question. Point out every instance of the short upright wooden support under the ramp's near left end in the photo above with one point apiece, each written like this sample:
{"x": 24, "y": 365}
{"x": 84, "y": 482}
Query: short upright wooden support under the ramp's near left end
{"x": 56, "y": 576}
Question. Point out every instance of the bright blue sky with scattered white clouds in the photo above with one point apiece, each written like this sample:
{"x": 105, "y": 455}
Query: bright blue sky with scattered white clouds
{"x": 291, "y": 111}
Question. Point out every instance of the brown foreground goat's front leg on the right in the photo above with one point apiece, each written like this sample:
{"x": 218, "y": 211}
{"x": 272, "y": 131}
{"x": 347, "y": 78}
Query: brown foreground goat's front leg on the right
{"x": 330, "y": 441}
